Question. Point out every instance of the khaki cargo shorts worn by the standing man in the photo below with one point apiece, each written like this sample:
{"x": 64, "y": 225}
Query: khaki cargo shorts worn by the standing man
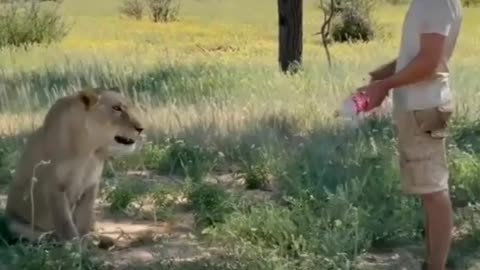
{"x": 422, "y": 149}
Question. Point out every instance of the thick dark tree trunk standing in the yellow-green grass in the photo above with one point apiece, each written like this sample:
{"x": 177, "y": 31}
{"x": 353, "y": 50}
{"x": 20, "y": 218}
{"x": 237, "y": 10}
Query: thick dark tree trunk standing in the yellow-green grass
{"x": 290, "y": 22}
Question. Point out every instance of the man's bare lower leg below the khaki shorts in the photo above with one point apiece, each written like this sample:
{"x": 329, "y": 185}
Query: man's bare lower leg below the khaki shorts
{"x": 439, "y": 227}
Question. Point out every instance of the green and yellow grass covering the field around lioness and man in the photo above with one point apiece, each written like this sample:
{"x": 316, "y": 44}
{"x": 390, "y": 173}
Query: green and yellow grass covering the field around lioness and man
{"x": 214, "y": 98}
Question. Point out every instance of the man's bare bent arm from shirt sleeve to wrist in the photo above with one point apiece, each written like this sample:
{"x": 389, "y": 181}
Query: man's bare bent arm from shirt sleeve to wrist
{"x": 423, "y": 65}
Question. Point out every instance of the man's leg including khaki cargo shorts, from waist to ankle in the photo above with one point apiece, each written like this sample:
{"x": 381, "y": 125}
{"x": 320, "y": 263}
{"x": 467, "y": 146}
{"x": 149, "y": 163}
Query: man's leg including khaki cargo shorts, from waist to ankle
{"x": 424, "y": 170}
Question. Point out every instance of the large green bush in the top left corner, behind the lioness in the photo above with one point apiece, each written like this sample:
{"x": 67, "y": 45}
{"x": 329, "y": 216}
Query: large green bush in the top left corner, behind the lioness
{"x": 27, "y": 23}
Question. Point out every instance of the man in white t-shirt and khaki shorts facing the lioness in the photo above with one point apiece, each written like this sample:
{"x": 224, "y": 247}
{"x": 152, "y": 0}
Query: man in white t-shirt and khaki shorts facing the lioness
{"x": 422, "y": 105}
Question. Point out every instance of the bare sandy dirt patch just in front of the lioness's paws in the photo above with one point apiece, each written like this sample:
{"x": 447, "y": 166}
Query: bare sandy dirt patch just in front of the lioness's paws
{"x": 140, "y": 243}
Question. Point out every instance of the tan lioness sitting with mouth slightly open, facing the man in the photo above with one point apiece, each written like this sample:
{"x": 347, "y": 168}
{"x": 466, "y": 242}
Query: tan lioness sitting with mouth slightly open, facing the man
{"x": 58, "y": 174}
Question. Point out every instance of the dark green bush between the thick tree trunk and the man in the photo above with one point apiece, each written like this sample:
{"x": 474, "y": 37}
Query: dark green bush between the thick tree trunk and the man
{"x": 353, "y": 22}
